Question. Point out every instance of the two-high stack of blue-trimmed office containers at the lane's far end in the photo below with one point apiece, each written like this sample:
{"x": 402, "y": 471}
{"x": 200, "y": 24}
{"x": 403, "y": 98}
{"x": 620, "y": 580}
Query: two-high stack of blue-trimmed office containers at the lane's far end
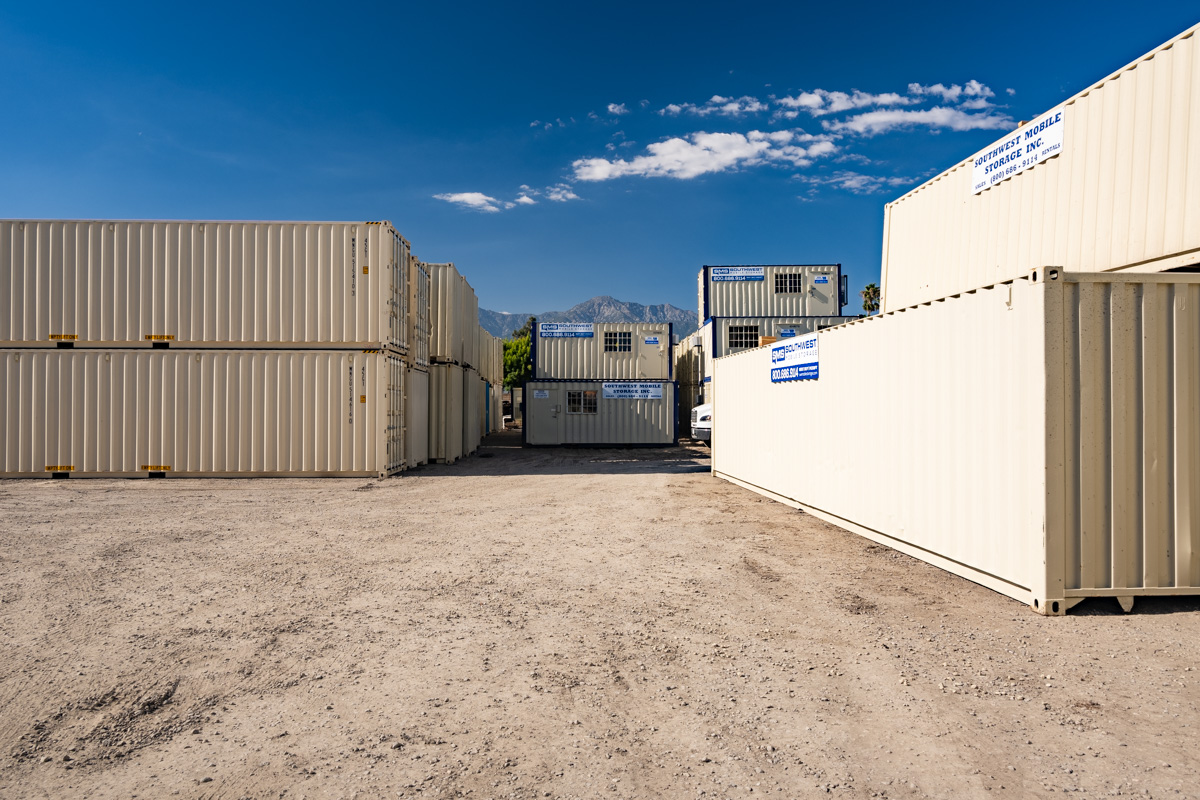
{"x": 601, "y": 384}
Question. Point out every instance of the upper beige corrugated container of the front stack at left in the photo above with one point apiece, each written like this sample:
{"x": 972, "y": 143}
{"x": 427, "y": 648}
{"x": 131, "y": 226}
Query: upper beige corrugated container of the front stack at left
{"x": 299, "y": 285}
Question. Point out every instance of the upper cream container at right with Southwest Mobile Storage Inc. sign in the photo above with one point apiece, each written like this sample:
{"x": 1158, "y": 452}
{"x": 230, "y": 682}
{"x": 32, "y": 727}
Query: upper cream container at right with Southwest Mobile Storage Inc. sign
{"x": 1123, "y": 194}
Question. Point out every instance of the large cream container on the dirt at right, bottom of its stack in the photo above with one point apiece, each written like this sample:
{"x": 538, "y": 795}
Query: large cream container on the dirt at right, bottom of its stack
{"x": 1039, "y": 437}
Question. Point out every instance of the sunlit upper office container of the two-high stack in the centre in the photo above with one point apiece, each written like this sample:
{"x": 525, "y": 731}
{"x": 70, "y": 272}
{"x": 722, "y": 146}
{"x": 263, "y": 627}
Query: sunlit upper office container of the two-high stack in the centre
{"x": 598, "y": 352}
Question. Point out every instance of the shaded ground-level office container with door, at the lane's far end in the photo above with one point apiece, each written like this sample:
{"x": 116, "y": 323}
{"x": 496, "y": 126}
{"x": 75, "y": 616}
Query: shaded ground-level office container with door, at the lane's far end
{"x": 601, "y": 413}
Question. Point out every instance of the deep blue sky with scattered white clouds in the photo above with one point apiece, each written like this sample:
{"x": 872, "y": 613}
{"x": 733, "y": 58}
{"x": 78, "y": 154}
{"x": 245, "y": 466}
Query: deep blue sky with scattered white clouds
{"x": 555, "y": 152}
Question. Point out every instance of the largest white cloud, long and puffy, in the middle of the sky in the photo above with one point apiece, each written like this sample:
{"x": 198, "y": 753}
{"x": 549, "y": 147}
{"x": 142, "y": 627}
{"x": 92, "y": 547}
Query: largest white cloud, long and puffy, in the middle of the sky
{"x": 704, "y": 153}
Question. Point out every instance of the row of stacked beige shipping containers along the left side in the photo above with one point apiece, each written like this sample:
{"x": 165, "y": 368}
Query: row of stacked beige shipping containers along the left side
{"x": 137, "y": 348}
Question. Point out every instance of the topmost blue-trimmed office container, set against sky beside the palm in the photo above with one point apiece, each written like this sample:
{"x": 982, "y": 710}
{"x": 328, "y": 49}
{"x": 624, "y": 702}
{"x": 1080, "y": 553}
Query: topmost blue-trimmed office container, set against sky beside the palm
{"x": 773, "y": 291}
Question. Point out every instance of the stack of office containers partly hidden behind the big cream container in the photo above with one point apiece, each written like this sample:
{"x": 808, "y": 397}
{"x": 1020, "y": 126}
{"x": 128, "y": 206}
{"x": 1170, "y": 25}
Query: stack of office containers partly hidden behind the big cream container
{"x": 743, "y": 308}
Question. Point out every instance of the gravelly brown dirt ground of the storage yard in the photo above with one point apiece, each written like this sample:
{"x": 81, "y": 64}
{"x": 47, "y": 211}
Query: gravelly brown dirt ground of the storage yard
{"x": 549, "y": 624}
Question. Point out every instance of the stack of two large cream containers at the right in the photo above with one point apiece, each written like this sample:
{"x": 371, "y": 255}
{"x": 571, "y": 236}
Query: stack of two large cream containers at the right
{"x": 1024, "y": 411}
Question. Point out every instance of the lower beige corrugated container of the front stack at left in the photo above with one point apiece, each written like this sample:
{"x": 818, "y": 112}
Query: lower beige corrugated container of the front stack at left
{"x": 201, "y": 413}
